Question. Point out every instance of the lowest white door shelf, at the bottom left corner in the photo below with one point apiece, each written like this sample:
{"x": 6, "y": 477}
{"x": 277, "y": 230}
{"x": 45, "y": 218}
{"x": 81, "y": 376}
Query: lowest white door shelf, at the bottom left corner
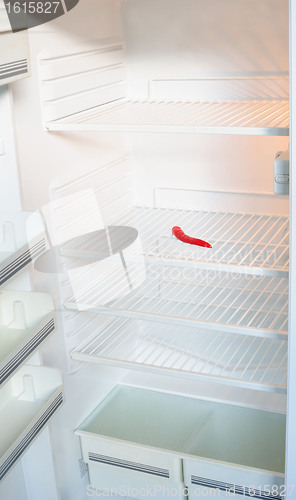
{"x": 27, "y": 402}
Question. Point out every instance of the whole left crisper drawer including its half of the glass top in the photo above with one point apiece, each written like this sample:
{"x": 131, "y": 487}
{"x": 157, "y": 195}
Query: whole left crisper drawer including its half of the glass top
{"x": 134, "y": 435}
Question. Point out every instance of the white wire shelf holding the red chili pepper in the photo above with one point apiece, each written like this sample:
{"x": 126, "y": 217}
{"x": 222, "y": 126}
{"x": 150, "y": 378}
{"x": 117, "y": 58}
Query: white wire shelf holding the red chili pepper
{"x": 239, "y": 240}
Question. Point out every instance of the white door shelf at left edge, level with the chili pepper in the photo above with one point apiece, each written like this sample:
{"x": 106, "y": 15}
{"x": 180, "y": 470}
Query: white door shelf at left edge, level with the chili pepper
{"x": 22, "y": 239}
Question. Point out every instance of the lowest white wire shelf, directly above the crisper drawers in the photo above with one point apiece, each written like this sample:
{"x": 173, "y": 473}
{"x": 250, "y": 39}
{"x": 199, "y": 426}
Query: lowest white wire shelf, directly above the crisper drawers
{"x": 241, "y": 360}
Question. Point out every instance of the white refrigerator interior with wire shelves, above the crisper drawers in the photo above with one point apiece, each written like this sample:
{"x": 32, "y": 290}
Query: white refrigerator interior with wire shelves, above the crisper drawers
{"x": 139, "y": 116}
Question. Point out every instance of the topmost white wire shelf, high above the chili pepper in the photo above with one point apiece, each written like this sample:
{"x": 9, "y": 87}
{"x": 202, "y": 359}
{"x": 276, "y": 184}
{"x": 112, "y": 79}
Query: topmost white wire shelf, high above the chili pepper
{"x": 253, "y": 117}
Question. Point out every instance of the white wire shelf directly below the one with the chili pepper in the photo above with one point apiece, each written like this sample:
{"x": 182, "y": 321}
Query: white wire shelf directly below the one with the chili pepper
{"x": 231, "y": 302}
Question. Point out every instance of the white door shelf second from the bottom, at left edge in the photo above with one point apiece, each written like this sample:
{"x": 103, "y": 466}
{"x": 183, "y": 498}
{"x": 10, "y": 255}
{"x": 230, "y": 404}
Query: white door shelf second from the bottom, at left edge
{"x": 27, "y": 319}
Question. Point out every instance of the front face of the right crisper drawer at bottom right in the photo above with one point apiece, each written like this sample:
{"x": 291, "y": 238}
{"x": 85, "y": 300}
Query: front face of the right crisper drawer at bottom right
{"x": 205, "y": 478}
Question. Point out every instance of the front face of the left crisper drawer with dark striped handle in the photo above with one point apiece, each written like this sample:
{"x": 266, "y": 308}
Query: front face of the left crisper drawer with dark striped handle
{"x": 121, "y": 465}
